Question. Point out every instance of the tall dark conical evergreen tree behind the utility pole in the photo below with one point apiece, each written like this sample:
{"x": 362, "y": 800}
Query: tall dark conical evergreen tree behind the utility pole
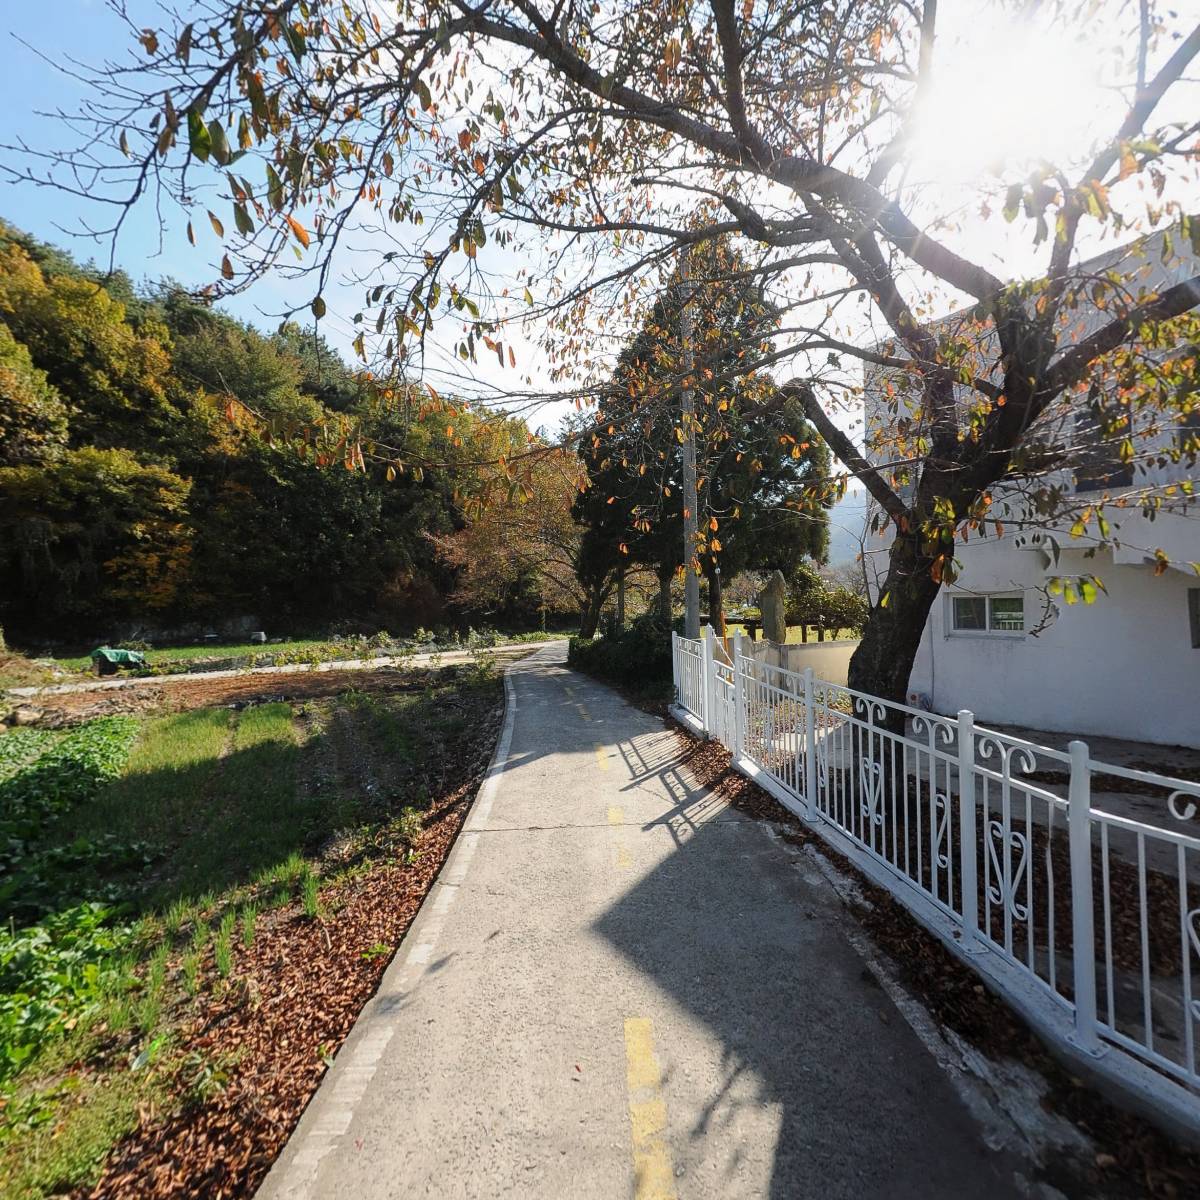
{"x": 758, "y": 458}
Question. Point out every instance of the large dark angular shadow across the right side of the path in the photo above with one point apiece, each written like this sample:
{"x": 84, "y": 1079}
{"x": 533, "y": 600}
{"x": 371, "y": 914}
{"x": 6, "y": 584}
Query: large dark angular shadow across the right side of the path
{"x": 742, "y": 941}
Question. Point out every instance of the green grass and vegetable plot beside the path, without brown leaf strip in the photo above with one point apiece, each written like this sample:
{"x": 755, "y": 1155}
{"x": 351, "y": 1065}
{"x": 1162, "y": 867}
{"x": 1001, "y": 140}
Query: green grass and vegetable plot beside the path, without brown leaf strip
{"x": 143, "y": 860}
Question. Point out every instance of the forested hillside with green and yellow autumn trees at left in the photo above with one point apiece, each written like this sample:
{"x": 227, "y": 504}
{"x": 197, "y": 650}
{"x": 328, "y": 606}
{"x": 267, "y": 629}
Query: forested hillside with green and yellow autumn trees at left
{"x": 154, "y": 470}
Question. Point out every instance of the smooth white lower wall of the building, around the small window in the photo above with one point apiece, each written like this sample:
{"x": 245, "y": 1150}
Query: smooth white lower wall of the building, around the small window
{"x": 1124, "y": 667}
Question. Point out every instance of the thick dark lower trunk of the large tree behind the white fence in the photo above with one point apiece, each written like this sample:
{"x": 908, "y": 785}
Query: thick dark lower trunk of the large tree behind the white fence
{"x": 883, "y": 663}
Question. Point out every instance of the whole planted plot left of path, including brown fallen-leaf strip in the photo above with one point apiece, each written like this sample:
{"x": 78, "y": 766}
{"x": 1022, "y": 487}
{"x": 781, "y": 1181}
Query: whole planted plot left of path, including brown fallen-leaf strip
{"x": 169, "y": 867}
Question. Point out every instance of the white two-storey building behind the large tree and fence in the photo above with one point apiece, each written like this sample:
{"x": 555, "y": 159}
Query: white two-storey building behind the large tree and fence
{"x": 1129, "y": 664}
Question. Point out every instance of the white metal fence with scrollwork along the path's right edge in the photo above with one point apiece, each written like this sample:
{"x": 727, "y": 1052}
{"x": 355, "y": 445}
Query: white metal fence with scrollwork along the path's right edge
{"x": 1084, "y": 914}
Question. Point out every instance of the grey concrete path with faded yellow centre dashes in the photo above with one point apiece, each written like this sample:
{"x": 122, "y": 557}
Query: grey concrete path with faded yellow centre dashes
{"x": 621, "y": 988}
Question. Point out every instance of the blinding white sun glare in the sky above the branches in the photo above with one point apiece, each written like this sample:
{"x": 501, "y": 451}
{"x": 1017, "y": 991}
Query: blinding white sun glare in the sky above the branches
{"x": 1004, "y": 97}
